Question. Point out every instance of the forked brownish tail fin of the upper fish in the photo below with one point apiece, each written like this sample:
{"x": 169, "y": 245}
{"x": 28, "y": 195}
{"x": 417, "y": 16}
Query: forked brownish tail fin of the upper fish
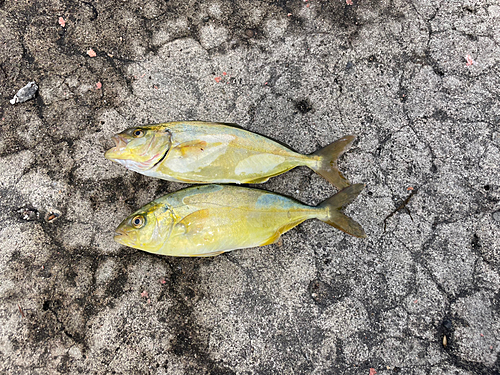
{"x": 327, "y": 166}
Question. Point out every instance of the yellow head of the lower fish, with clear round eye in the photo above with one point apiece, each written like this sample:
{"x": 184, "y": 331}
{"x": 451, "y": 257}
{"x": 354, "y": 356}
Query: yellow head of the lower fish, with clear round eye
{"x": 147, "y": 229}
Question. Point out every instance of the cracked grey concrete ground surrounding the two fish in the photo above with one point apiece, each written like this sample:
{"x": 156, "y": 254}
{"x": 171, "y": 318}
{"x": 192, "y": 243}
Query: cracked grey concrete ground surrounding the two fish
{"x": 395, "y": 73}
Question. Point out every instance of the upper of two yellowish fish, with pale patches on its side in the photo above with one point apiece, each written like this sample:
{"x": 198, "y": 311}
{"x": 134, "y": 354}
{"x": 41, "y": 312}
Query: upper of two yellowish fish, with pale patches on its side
{"x": 205, "y": 152}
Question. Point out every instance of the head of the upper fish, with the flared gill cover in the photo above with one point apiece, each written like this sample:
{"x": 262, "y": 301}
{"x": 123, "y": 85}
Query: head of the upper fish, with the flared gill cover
{"x": 140, "y": 149}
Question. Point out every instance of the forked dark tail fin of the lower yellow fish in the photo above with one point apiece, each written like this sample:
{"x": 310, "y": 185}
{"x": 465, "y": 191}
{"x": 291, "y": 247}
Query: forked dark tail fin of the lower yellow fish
{"x": 336, "y": 218}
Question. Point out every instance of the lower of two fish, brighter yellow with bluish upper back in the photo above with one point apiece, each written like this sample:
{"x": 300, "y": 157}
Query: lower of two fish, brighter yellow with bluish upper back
{"x": 208, "y": 220}
